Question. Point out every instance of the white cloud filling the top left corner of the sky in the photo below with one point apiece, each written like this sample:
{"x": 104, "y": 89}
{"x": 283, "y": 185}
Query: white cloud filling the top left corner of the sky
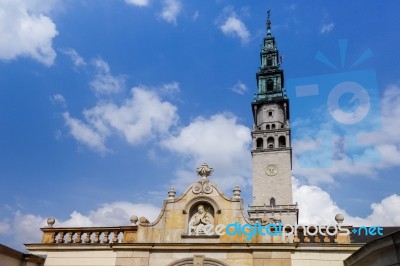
{"x": 27, "y": 31}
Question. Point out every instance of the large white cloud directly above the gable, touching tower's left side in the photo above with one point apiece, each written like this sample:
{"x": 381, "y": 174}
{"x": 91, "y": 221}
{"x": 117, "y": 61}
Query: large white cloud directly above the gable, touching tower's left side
{"x": 221, "y": 142}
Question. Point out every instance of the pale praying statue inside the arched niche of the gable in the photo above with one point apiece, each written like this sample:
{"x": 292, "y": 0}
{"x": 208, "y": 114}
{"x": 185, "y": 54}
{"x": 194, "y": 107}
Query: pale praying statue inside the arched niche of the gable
{"x": 200, "y": 219}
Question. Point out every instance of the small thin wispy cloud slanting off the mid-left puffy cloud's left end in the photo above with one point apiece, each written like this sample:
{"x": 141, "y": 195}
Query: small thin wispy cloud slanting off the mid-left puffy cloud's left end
{"x": 85, "y": 134}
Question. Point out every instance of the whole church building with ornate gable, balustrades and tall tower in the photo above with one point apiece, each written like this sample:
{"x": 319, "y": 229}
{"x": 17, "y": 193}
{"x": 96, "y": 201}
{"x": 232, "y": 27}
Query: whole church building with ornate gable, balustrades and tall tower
{"x": 202, "y": 226}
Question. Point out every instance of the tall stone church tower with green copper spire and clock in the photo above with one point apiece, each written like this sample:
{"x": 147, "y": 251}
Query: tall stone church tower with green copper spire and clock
{"x": 271, "y": 151}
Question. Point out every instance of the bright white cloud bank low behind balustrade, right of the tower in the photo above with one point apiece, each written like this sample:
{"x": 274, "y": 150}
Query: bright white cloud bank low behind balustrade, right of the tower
{"x": 317, "y": 207}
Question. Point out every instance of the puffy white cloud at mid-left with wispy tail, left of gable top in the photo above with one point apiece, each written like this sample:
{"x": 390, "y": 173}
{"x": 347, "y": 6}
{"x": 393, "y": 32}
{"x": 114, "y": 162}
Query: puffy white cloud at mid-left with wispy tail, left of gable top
{"x": 141, "y": 117}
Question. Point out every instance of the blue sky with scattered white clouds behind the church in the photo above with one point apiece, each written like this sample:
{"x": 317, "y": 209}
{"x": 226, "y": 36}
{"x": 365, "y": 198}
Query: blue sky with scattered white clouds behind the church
{"x": 106, "y": 104}
